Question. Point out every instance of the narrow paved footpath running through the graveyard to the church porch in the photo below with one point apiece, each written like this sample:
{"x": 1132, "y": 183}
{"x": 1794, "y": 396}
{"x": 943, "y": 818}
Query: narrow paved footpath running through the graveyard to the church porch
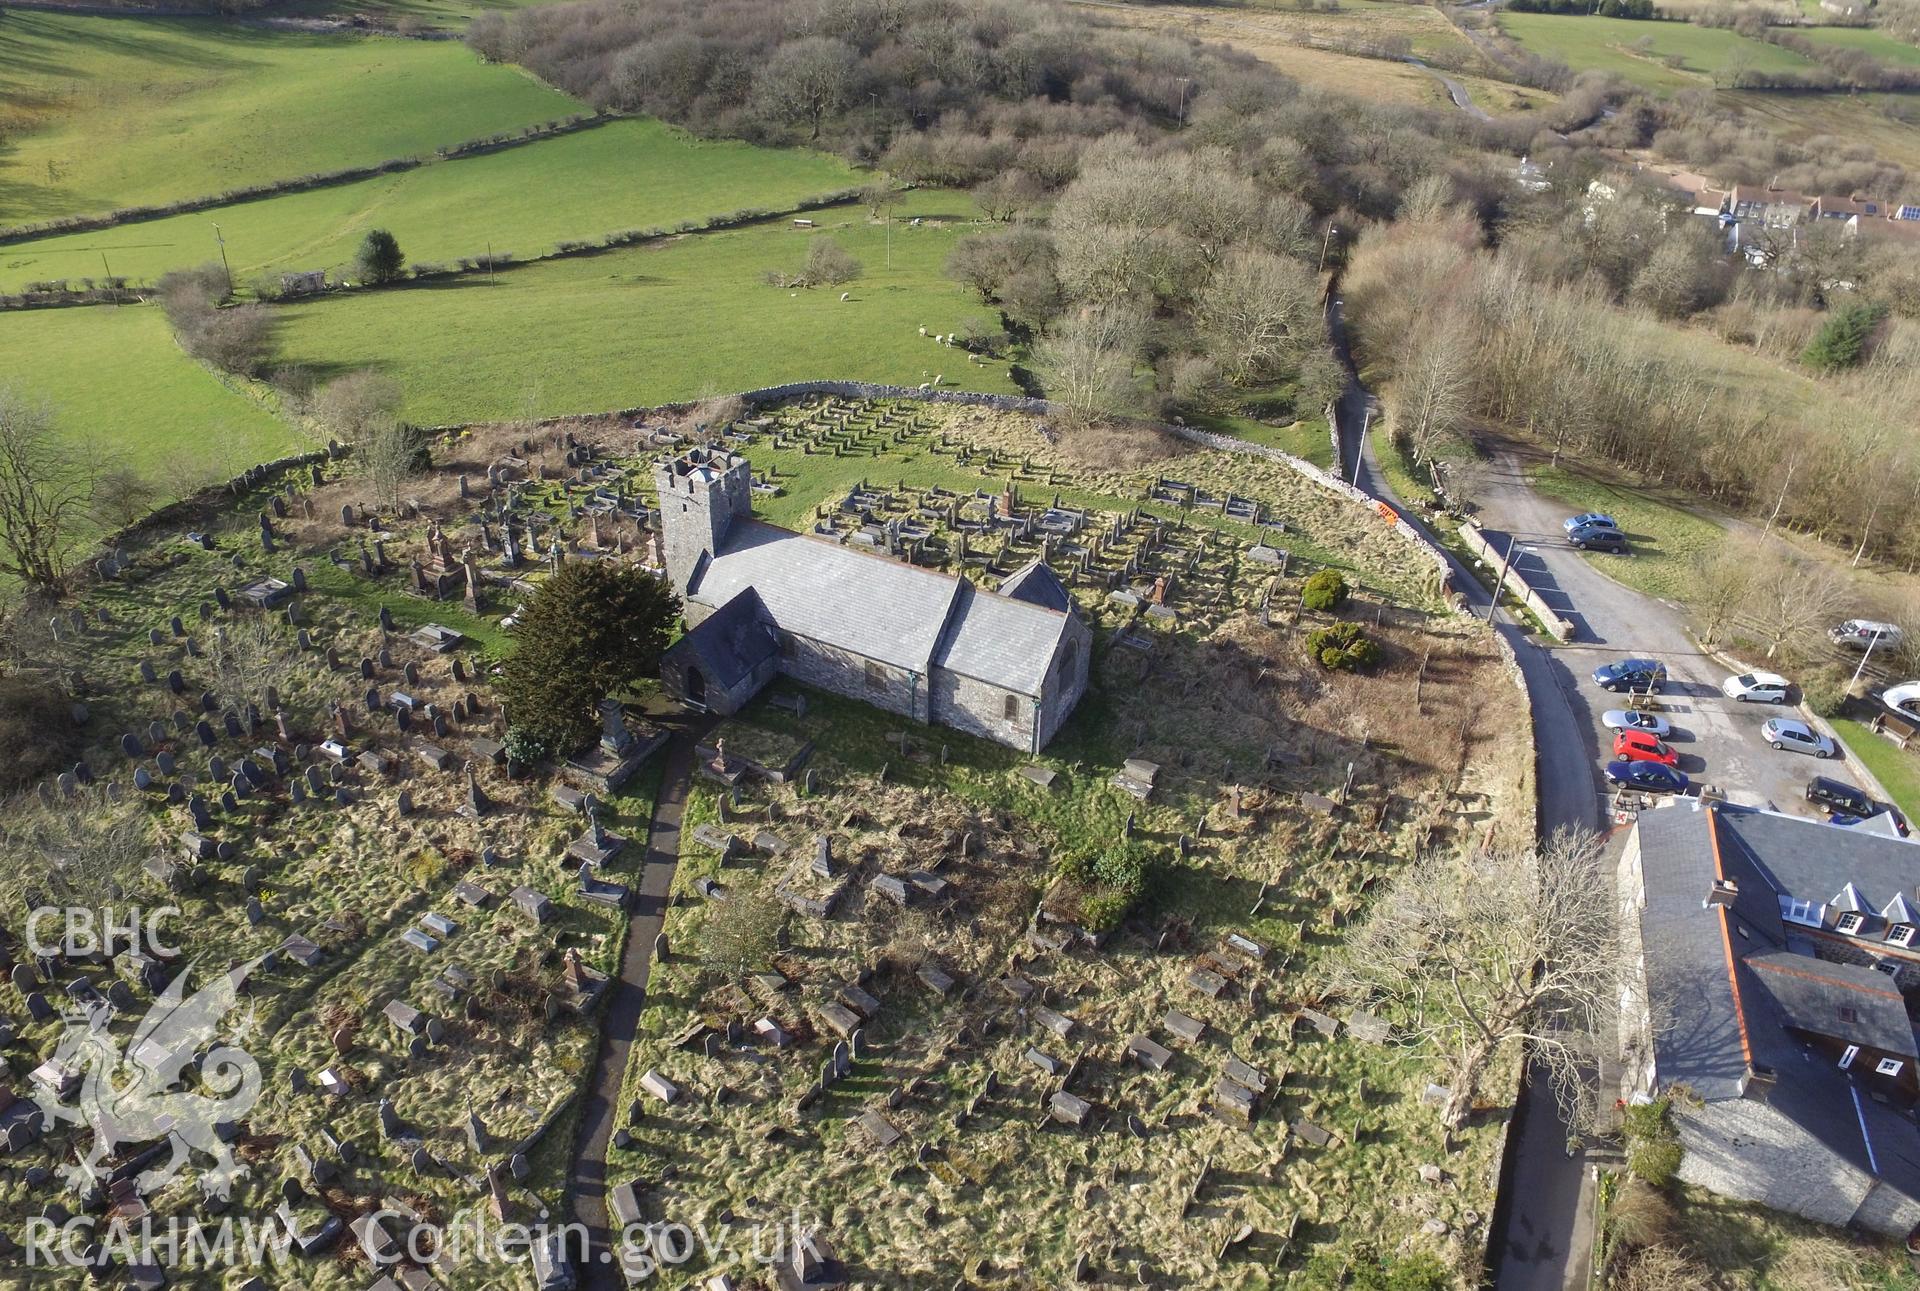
{"x": 600, "y": 1111}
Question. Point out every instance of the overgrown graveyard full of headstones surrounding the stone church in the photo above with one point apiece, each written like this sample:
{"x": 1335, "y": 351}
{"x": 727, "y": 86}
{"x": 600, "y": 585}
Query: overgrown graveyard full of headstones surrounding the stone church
{"x": 900, "y": 988}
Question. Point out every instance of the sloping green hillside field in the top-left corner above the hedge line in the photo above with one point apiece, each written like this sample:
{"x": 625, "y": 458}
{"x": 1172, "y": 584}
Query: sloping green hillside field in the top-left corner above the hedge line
{"x": 105, "y": 112}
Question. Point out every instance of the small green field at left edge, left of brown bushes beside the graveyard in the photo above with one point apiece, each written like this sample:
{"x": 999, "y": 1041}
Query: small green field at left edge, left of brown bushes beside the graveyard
{"x": 126, "y": 395}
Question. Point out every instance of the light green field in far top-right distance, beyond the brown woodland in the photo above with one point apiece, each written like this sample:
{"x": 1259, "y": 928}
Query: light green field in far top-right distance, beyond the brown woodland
{"x": 1610, "y": 45}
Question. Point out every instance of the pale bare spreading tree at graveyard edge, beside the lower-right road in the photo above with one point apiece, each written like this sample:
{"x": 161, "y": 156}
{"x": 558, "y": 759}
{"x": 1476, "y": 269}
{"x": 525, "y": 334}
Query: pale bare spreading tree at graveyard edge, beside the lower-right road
{"x": 1502, "y": 950}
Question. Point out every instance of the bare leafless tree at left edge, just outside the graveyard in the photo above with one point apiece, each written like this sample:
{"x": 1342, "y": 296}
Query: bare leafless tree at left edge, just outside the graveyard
{"x": 43, "y": 493}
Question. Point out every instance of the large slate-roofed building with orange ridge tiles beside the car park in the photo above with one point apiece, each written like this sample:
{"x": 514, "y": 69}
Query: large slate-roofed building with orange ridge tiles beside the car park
{"x": 1779, "y": 967}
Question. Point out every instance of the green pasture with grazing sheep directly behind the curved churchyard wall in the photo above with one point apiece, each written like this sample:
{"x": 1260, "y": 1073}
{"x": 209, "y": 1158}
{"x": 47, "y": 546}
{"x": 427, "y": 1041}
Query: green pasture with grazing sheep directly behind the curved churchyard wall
{"x": 646, "y": 326}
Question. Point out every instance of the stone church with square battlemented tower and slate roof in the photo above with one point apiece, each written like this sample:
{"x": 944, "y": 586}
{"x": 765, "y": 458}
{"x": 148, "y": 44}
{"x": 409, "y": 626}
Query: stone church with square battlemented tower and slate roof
{"x": 767, "y": 602}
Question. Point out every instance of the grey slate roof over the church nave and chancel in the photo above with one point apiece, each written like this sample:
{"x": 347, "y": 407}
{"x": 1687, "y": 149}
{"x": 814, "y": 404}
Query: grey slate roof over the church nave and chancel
{"x": 884, "y": 610}
